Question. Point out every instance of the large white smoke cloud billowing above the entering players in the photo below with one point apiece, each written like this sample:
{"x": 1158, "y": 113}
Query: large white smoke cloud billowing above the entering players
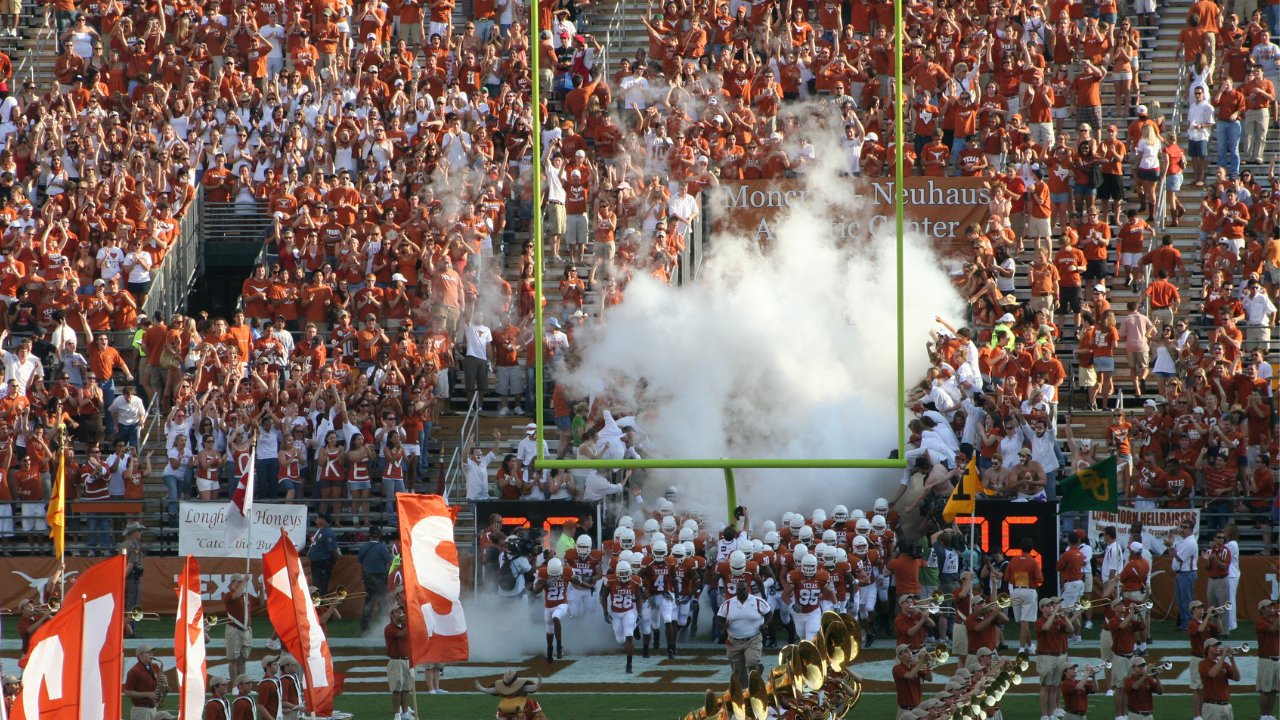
{"x": 783, "y": 354}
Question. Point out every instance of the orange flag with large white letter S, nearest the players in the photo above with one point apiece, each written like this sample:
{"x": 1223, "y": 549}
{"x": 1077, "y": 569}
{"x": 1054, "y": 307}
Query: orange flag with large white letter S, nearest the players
{"x": 433, "y": 589}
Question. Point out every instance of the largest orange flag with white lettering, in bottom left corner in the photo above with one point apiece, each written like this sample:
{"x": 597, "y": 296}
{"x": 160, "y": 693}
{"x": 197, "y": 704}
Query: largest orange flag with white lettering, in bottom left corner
{"x": 76, "y": 663}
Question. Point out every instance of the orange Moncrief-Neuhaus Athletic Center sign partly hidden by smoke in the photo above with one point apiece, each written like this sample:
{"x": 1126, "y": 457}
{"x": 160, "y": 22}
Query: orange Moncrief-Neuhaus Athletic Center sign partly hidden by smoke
{"x": 936, "y": 208}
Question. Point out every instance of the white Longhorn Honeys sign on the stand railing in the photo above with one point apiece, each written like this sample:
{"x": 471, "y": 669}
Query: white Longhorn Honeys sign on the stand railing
{"x": 203, "y": 530}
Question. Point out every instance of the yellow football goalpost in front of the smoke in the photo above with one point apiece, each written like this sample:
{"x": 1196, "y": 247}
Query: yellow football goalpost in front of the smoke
{"x": 723, "y": 463}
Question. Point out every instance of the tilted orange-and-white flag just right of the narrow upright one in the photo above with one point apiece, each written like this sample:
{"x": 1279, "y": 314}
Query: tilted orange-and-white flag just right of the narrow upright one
{"x": 289, "y": 603}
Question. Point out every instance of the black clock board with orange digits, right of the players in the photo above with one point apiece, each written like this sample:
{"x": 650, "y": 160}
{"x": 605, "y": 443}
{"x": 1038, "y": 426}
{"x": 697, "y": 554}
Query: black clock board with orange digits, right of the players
{"x": 1002, "y": 526}
